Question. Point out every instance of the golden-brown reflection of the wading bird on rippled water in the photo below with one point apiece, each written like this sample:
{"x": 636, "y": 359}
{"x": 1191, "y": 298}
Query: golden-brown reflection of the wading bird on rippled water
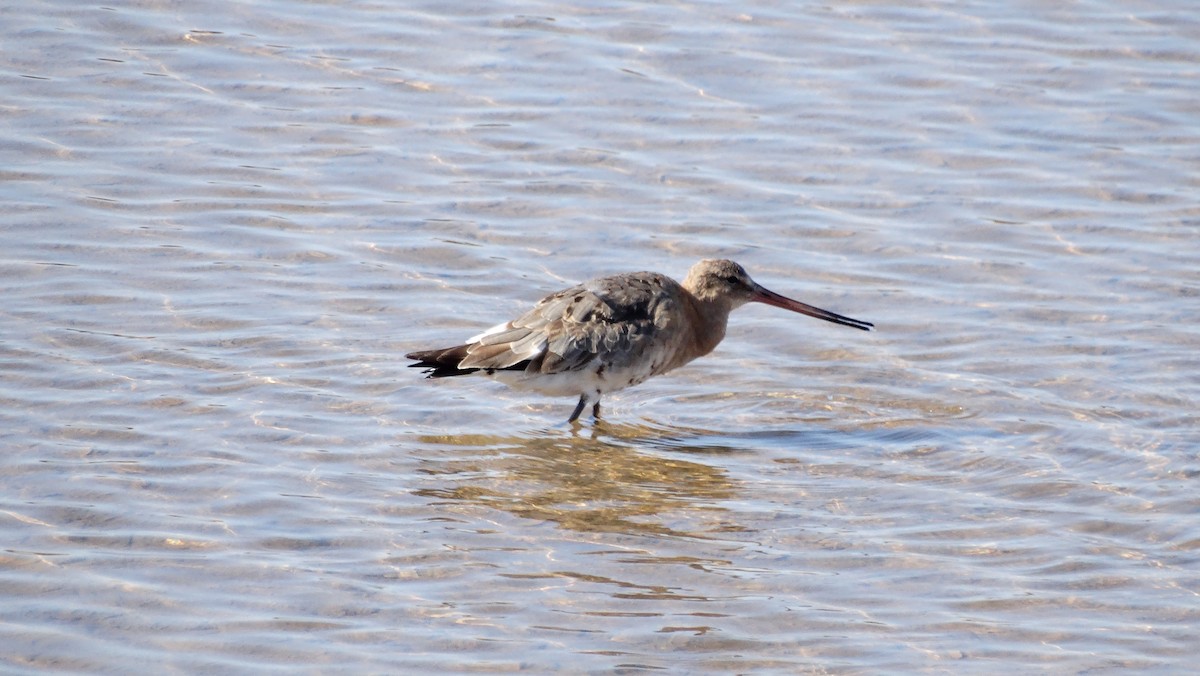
{"x": 596, "y": 482}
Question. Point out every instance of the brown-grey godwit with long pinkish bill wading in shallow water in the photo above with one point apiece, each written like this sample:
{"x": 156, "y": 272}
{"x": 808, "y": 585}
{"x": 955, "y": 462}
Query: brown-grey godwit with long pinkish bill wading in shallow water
{"x": 613, "y": 333}
